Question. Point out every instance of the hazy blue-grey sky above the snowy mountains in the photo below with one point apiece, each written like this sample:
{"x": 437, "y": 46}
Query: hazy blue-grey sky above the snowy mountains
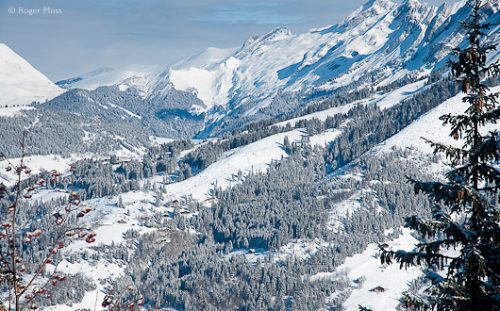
{"x": 63, "y": 38}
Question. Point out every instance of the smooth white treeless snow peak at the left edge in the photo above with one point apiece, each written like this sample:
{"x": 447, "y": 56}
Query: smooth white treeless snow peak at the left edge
{"x": 21, "y": 83}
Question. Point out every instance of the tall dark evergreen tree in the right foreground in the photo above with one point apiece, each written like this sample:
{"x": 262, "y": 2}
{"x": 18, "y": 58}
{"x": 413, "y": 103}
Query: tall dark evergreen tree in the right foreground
{"x": 465, "y": 216}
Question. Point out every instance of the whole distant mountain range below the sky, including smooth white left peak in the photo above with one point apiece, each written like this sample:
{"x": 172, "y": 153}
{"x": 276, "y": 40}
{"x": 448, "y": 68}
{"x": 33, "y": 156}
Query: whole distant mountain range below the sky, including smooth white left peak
{"x": 383, "y": 43}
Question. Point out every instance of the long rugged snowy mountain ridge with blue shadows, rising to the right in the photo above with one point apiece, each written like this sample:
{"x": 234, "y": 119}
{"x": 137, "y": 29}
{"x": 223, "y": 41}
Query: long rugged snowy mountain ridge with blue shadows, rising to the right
{"x": 381, "y": 42}
